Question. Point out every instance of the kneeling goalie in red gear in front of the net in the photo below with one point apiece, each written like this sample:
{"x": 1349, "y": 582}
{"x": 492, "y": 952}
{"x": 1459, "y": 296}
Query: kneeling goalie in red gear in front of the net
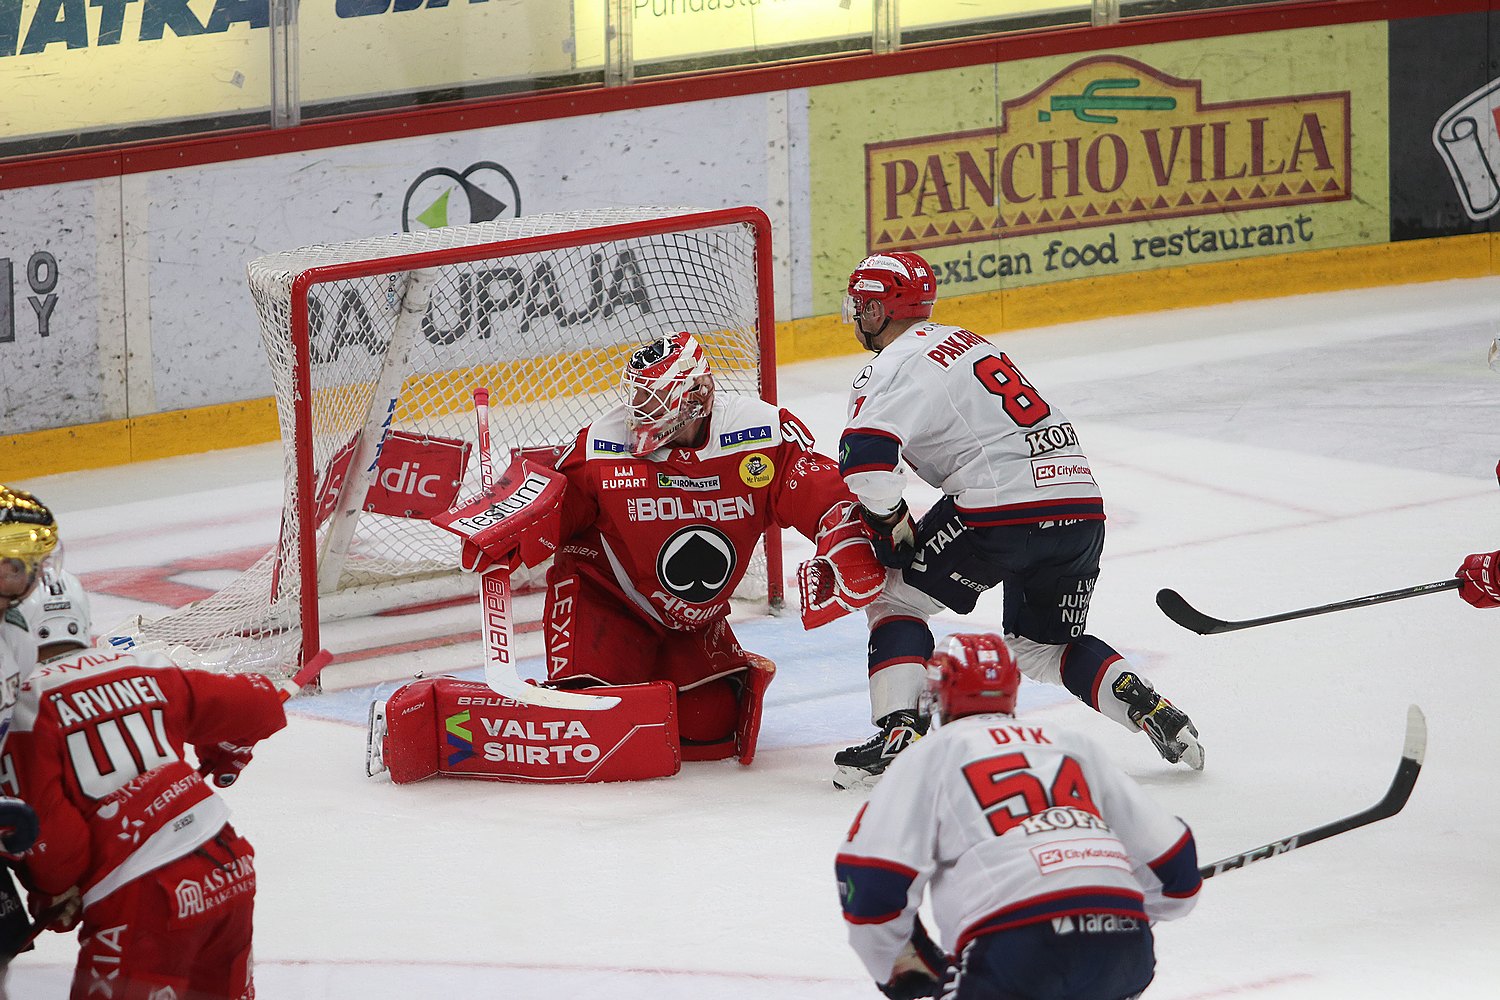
{"x": 665, "y": 499}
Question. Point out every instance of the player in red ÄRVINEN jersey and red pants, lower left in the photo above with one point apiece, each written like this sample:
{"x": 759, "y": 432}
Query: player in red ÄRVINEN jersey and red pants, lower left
{"x": 130, "y": 830}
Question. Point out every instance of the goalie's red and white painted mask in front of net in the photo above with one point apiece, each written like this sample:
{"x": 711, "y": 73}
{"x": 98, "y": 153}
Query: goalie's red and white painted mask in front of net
{"x": 667, "y": 386}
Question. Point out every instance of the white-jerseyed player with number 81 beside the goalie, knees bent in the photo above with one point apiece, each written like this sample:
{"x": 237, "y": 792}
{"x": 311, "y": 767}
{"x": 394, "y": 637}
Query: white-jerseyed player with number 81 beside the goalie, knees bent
{"x": 1021, "y": 509}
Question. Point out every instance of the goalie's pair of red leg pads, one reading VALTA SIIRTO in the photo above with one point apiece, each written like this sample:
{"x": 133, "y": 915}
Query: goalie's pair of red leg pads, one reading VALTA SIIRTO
{"x": 464, "y": 729}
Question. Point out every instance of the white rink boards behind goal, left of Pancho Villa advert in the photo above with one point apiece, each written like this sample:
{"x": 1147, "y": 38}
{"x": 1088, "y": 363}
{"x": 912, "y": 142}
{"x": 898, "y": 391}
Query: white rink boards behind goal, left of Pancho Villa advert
{"x": 152, "y": 311}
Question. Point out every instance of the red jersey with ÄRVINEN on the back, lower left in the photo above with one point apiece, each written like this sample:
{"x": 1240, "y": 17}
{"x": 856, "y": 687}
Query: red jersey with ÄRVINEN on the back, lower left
{"x": 97, "y": 747}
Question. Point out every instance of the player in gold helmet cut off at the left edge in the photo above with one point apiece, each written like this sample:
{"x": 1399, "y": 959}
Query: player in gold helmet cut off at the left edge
{"x": 28, "y": 545}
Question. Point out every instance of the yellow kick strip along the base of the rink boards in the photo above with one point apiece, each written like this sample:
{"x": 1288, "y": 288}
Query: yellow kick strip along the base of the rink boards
{"x": 254, "y": 422}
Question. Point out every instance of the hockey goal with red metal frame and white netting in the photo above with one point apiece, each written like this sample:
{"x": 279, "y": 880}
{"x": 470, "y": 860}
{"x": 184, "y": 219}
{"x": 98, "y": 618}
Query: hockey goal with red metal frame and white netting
{"x": 386, "y": 338}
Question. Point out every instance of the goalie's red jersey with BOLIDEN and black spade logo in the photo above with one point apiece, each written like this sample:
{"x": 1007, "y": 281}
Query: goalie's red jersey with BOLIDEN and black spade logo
{"x": 673, "y": 533}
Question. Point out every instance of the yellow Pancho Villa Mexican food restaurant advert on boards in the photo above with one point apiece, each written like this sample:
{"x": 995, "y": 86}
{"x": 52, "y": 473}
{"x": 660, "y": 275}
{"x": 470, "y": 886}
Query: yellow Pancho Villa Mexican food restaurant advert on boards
{"x": 1096, "y": 164}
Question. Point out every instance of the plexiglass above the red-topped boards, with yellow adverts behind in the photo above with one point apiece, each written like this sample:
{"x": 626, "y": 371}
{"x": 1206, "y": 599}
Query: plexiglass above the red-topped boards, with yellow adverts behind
{"x": 79, "y": 74}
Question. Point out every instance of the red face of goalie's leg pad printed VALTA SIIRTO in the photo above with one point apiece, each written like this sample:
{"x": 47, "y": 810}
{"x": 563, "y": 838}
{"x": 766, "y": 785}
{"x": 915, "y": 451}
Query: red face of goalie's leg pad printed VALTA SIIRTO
{"x": 487, "y": 735}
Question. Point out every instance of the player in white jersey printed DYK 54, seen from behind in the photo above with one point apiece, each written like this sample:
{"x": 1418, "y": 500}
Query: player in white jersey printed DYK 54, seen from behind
{"x": 1045, "y": 863}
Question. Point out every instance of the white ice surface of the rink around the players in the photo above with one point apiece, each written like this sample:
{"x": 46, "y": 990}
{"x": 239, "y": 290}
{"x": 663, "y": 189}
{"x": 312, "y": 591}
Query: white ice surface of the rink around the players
{"x": 1258, "y": 458}
